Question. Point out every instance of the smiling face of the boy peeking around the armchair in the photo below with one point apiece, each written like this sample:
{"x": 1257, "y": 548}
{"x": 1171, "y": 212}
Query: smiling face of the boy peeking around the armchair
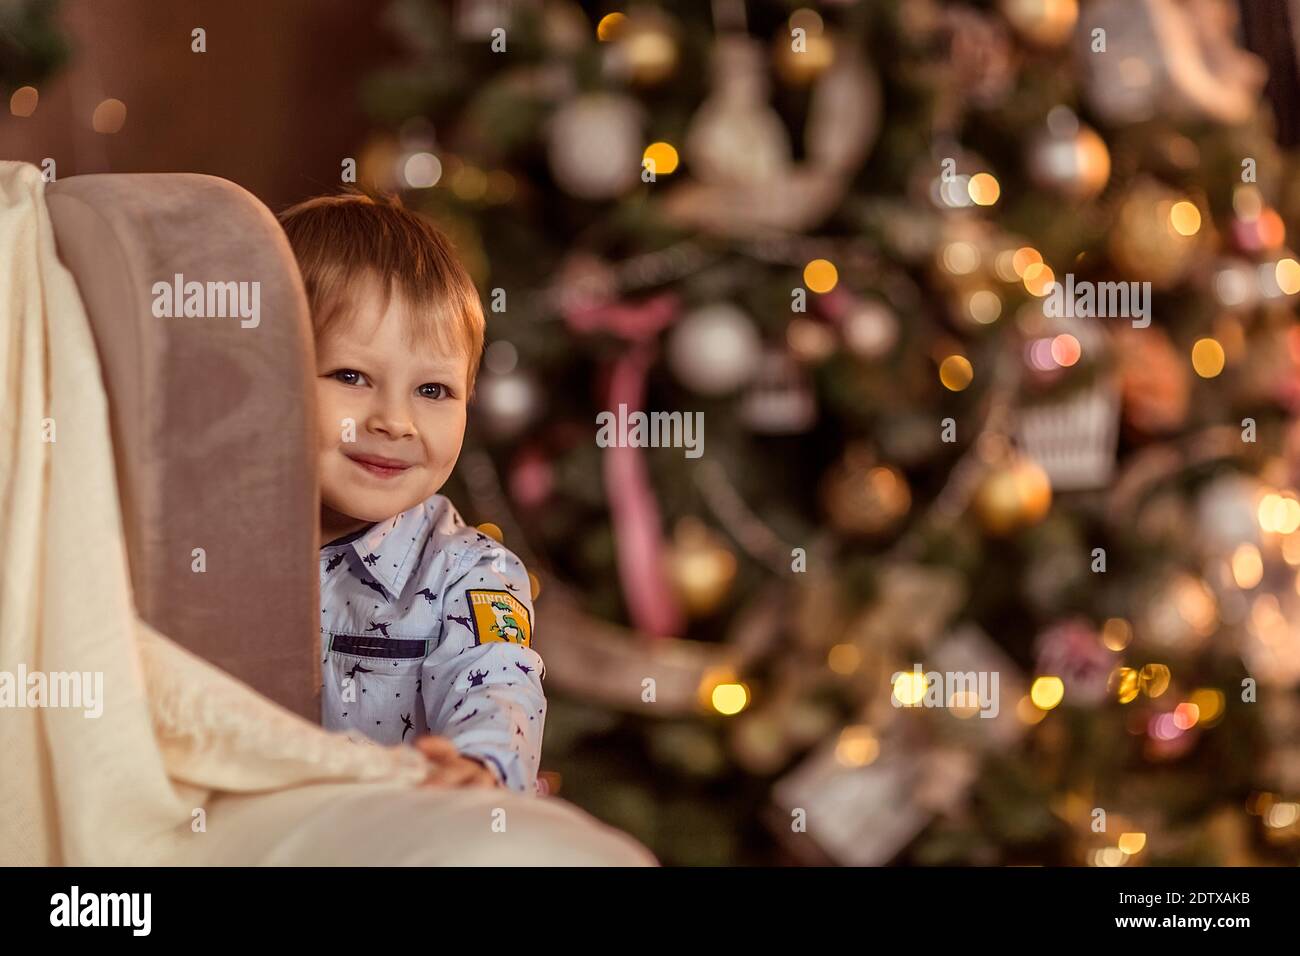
{"x": 409, "y": 408}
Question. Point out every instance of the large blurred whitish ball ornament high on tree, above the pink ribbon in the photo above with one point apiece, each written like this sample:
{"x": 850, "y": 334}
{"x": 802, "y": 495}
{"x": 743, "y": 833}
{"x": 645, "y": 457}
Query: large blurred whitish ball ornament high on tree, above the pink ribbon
{"x": 595, "y": 146}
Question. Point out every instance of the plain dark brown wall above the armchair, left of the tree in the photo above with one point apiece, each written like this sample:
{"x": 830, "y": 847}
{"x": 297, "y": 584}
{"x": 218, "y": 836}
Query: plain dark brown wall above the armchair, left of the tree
{"x": 272, "y": 105}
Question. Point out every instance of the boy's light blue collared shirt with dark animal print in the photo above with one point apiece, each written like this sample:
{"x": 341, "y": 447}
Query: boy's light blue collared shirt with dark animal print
{"x": 427, "y": 628}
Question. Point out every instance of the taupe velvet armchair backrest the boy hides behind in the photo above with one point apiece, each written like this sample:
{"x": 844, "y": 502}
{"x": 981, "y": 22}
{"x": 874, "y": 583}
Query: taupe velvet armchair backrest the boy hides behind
{"x": 213, "y": 416}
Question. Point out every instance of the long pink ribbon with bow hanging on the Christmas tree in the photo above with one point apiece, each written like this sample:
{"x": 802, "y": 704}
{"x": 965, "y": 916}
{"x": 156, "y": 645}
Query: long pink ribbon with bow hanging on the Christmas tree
{"x": 634, "y": 507}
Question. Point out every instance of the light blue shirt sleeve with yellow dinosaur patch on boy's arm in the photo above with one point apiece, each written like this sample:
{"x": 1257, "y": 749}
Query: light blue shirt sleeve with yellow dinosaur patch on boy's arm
{"x": 483, "y": 682}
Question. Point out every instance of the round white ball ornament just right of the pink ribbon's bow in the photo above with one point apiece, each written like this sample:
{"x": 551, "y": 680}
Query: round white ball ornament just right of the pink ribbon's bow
{"x": 714, "y": 349}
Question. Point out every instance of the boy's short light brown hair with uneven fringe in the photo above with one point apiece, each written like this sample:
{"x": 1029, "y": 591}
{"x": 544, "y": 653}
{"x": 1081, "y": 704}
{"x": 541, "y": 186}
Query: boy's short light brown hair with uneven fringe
{"x": 344, "y": 241}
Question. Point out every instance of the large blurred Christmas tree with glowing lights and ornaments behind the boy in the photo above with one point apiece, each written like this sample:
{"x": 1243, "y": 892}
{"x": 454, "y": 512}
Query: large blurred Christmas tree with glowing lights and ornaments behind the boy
{"x": 837, "y": 233}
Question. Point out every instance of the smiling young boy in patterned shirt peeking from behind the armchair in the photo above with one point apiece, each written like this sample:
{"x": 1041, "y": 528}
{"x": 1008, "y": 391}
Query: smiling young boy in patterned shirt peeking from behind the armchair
{"x": 427, "y": 626}
